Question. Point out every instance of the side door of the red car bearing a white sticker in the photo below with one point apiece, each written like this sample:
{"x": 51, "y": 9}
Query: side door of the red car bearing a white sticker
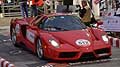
{"x": 32, "y": 33}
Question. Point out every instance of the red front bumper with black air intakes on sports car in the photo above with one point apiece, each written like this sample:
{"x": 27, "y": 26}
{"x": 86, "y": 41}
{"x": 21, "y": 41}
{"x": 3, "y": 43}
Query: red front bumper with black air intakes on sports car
{"x": 78, "y": 54}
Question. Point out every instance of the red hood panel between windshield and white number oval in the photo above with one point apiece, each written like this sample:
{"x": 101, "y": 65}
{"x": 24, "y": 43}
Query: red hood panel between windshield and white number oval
{"x": 71, "y": 37}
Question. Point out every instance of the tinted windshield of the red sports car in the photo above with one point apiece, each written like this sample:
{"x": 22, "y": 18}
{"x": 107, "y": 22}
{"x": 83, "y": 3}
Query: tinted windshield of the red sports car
{"x": 63, "y": 23}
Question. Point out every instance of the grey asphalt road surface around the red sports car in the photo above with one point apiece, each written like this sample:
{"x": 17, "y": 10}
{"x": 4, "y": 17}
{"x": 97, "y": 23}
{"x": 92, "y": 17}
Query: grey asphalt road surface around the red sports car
{"x": 23, "y": 58}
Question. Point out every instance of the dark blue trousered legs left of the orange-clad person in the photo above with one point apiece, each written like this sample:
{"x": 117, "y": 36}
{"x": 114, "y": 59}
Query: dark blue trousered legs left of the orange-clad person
{"x": 23, "y": 8}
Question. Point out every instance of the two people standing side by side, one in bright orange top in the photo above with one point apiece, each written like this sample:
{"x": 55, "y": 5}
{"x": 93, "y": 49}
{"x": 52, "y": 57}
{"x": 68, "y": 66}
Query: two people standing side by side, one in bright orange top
{"x": 33, "y": 5}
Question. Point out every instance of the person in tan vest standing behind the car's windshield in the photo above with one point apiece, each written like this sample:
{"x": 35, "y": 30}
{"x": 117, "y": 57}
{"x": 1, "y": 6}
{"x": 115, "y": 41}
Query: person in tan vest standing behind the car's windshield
{"x": 85, "y": 13}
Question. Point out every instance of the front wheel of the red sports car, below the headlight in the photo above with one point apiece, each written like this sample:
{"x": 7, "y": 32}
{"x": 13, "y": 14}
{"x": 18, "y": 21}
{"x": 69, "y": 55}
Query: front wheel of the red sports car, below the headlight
{"x": 39, "y": 49}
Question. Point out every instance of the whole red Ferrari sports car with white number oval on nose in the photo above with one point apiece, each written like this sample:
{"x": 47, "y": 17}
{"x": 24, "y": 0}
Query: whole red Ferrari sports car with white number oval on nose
{"x": 60, "y": 37}
